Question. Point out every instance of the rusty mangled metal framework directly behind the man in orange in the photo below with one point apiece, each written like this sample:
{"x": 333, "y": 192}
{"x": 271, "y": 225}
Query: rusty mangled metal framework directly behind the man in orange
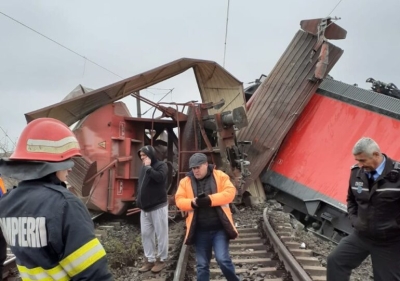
{"x": 214, "y": 135}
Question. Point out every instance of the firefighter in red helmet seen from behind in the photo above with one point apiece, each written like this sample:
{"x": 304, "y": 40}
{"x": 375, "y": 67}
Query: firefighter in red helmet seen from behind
{"x": 48, "y": 229}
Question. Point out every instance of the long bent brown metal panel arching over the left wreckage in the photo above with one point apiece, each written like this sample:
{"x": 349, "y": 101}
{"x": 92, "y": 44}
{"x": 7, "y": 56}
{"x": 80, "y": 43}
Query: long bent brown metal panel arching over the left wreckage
{"x": 214, "y": 82}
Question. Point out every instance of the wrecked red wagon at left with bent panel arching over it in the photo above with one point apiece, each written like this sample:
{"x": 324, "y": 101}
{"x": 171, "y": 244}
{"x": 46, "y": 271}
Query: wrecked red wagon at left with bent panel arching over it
{"x": 106, "y": 177}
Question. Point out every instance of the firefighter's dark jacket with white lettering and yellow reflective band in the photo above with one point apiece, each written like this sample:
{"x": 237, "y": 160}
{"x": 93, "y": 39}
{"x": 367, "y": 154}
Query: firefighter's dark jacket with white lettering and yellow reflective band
{"x": 50, "y": 232}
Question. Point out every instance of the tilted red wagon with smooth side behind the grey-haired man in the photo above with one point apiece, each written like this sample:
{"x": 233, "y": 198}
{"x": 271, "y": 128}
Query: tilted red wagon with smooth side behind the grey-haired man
{"x": 310, "y": 172}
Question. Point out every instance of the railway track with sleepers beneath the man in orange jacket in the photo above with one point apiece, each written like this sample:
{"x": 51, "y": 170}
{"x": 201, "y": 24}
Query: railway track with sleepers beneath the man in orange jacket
{"x": 260, "y": 253}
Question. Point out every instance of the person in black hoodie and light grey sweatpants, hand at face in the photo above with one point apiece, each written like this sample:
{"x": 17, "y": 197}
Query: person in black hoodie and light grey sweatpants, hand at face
{"x": 152, "y": 200}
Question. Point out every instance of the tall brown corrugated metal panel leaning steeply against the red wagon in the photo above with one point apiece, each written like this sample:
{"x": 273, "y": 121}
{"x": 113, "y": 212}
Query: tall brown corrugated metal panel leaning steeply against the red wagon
{"x": 280, "y": 99}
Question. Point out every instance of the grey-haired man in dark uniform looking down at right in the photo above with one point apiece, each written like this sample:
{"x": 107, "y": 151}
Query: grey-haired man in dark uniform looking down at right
{"x": 373, "y": 205}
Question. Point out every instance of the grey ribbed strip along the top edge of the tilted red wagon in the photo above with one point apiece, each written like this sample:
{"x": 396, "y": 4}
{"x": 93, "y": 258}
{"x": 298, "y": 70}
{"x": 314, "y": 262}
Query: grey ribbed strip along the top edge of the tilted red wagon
{"x": 367, "y": 99}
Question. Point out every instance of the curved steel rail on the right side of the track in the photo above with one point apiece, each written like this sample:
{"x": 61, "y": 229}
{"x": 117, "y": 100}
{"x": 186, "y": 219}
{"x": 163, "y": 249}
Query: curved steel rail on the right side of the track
{"x": 297, "y": 272}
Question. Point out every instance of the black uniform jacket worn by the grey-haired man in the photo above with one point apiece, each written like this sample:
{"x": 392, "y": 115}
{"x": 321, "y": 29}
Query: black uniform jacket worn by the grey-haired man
{"x": 374, "y": 210}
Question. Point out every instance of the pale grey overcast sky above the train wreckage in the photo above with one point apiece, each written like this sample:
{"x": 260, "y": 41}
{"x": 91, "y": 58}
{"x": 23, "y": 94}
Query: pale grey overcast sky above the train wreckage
{"x": 129, "y": 37}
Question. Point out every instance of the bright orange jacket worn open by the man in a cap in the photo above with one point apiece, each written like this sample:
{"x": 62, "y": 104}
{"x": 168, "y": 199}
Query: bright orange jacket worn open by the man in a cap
{"x": 224, "y": 195}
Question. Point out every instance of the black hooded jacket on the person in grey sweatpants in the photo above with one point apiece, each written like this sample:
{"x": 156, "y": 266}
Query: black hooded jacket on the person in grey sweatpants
{"x": 152, "y": 186}
